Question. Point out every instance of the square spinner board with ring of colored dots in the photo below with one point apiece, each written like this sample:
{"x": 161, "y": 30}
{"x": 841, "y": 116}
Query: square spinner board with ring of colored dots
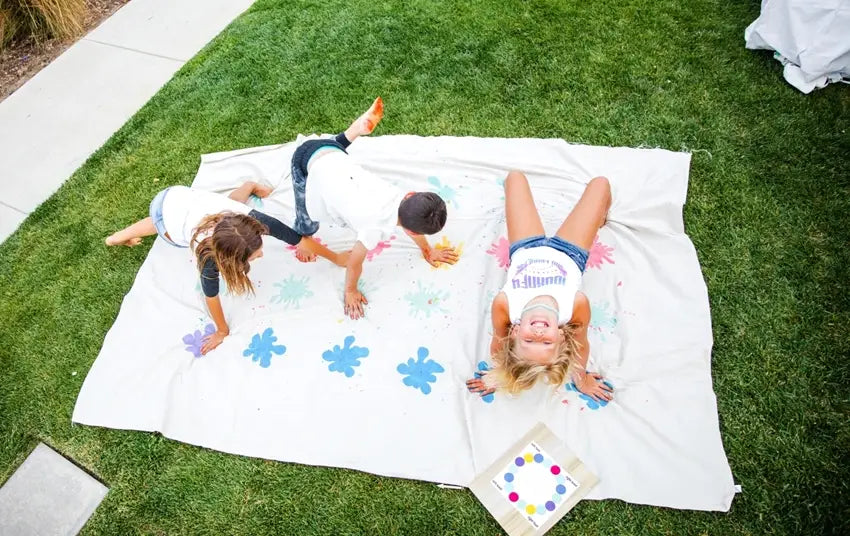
{"x": 534, "y": 484}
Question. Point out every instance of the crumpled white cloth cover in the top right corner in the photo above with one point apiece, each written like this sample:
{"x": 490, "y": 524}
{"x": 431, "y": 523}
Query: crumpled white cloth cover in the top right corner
{"x": 810, "y": 37}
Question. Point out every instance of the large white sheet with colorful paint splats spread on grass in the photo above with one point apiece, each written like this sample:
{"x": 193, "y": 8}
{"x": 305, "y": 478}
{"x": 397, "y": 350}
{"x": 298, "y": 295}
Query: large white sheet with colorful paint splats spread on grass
{"x": 315, "y": 396}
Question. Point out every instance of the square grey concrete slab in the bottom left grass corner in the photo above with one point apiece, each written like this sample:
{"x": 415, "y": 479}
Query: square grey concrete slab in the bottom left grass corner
{"x": 48, "y": 495}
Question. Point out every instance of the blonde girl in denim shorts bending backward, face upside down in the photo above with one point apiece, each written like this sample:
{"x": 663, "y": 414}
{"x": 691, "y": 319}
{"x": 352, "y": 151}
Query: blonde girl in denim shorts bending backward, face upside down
{"x": 540, "y": 317}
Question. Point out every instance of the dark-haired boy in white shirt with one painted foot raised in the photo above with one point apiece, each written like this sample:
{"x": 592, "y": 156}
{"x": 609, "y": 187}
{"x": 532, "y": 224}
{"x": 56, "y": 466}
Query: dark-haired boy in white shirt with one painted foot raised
{"x": 347, "y": 194}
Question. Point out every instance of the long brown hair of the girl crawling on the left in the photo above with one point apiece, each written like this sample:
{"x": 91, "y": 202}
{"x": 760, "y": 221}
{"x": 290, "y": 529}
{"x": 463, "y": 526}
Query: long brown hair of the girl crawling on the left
{"x": 229, "y": 239}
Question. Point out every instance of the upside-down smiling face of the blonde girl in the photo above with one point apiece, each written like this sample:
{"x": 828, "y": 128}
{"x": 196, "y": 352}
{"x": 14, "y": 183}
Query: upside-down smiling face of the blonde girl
{"x": 537, "y": 334}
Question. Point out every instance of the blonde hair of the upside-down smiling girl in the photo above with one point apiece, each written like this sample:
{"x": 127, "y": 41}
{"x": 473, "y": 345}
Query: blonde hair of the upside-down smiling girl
{"x": 514, "y": 374}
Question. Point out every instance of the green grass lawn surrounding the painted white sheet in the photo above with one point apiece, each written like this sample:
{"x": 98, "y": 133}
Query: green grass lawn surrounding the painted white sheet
{"x": 768, "y": 210}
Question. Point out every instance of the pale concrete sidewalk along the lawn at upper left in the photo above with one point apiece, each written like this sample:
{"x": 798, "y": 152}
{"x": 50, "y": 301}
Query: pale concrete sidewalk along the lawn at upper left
{"x": 55, "y": 121}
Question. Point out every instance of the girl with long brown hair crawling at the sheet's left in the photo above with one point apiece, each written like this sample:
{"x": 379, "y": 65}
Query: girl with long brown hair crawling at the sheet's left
{"x": 226, "y": 236}
